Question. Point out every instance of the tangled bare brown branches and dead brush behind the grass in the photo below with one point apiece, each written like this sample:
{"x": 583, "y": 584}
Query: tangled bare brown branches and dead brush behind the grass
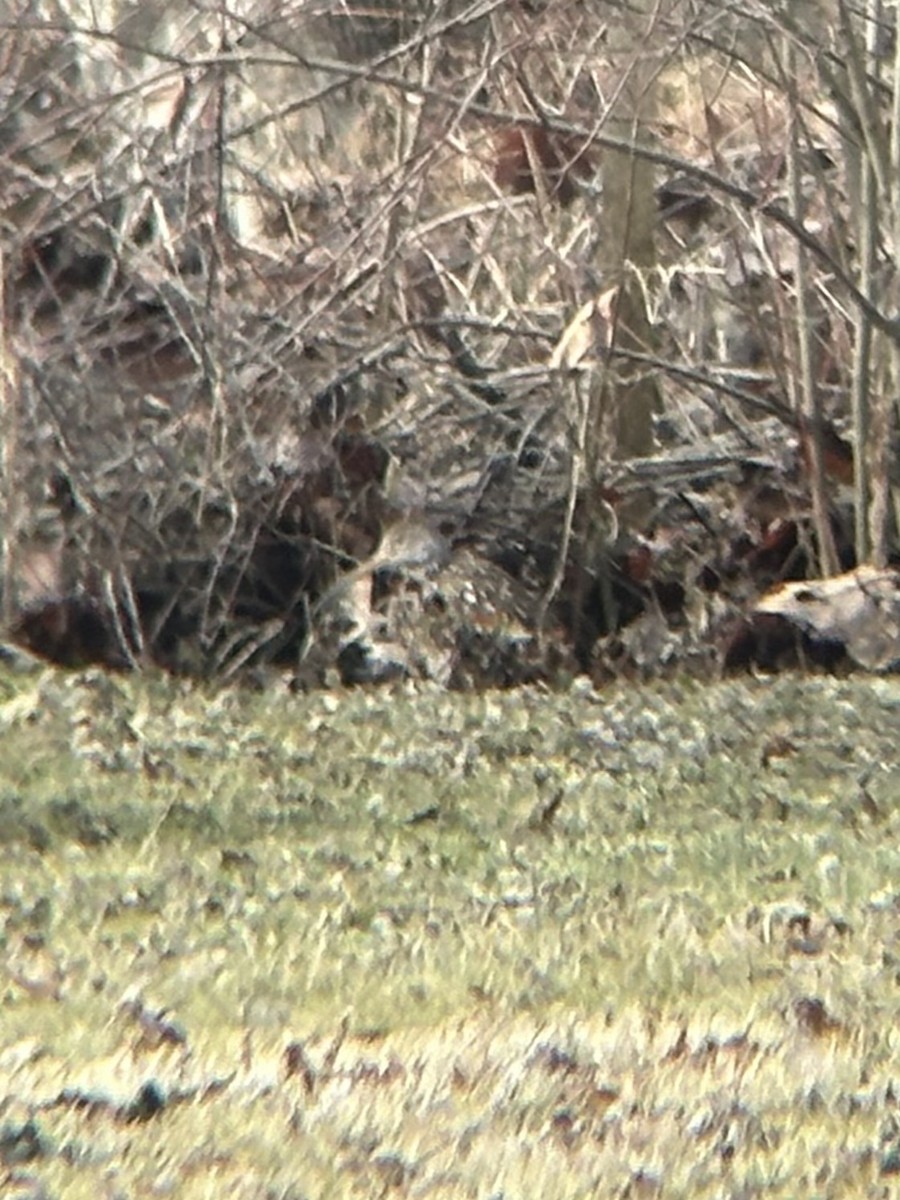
{"x": 296, "y": 296}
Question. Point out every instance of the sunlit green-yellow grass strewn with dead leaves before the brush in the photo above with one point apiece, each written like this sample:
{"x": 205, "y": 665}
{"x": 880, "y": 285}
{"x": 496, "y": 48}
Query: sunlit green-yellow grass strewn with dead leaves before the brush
{"x": 523, "y": 946}
